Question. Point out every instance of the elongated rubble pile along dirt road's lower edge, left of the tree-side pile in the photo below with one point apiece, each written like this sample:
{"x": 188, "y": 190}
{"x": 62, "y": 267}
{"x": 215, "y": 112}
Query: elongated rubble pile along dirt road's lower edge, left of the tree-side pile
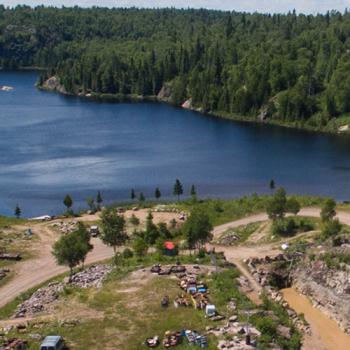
{"x": 40, "y": 300}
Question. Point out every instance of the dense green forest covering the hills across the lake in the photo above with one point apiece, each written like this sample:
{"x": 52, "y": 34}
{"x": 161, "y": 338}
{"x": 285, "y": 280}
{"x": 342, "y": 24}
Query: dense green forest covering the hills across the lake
{"x": 290, "y": 68}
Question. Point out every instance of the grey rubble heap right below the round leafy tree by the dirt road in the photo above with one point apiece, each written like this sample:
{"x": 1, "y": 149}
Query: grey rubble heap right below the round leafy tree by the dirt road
{"x": 93, "y": 276}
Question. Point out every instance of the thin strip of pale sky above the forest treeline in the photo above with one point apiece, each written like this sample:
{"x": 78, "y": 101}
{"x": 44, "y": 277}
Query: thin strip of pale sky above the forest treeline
{"x": 305, "y": 6}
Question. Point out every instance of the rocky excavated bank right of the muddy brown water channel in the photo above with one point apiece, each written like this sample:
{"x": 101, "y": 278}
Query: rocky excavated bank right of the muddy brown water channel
{"x": 328, "y": 289}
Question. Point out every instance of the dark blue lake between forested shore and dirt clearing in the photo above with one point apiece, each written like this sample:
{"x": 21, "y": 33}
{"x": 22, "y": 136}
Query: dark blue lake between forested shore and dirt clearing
{"x": 52, "y": 145}
